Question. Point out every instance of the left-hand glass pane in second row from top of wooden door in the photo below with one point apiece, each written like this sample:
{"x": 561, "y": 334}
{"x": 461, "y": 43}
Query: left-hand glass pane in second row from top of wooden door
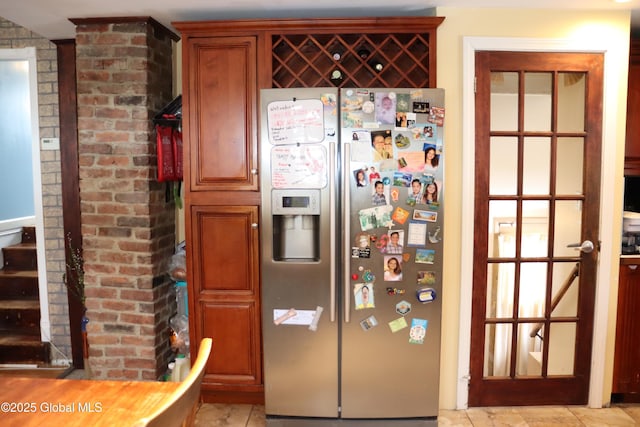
{"x": 503, "y": 173}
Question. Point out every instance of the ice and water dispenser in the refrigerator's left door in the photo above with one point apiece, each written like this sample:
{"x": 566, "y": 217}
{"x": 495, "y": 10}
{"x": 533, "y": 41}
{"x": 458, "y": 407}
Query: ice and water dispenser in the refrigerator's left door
{"x": 296, "y": 223}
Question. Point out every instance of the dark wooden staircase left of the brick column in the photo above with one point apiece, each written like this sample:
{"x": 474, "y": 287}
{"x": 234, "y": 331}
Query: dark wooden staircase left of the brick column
{"x": 19, "y": 304}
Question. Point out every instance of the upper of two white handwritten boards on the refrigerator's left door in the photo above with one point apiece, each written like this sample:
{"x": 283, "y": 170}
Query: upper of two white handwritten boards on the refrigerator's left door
{"x": 295, "y": 122}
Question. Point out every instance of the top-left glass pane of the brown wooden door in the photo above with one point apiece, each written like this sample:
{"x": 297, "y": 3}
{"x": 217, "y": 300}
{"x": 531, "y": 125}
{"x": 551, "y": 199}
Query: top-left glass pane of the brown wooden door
{"x": 504, "y": 101}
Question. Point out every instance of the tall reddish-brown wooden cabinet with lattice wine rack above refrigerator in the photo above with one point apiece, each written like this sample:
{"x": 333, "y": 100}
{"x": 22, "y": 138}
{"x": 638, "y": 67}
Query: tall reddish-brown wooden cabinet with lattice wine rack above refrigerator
{"x": 224, "y": 66}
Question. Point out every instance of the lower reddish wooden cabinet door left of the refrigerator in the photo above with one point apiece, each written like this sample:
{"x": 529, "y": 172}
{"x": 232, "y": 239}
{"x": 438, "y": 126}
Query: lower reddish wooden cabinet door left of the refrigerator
{"x": 227, "y": 297}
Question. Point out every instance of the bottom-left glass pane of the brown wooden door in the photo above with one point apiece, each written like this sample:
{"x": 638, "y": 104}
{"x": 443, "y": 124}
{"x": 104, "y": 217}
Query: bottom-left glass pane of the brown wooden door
{"x": 497, "y": 350}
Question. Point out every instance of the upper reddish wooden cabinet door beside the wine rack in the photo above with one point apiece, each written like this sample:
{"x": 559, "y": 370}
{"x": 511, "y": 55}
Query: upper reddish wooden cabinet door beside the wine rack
{"x": 221, "y": 112}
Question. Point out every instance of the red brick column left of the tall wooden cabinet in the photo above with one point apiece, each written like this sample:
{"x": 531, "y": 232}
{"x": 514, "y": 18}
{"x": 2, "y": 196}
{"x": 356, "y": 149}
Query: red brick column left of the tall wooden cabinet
{"x": 124, "y": 72}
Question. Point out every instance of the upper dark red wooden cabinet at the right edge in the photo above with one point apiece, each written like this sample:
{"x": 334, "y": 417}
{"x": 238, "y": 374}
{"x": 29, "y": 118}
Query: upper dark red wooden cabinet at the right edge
{"x": 632, "y": 141}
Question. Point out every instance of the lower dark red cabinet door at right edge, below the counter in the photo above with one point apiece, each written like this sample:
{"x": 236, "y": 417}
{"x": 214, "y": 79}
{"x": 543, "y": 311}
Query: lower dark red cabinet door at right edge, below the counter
{"x": 626, "y": 368}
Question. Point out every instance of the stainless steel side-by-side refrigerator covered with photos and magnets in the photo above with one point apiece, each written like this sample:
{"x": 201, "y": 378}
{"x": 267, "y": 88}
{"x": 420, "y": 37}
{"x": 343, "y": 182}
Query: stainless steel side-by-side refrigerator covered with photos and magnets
{"x": 352, "y": 236}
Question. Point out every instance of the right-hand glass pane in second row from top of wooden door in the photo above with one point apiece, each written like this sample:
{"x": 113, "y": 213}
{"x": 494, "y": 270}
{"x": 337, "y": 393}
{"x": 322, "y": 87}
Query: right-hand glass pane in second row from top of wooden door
{"x": 570, "y": 156}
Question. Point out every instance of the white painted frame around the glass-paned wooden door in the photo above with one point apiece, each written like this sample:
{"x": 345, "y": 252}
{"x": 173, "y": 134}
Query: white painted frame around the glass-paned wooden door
{"x": 607, "y": 199}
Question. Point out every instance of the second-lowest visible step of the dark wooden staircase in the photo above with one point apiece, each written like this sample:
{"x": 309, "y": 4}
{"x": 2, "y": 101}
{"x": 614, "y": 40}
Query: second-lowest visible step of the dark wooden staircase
{"x": 20, "y": 317}
